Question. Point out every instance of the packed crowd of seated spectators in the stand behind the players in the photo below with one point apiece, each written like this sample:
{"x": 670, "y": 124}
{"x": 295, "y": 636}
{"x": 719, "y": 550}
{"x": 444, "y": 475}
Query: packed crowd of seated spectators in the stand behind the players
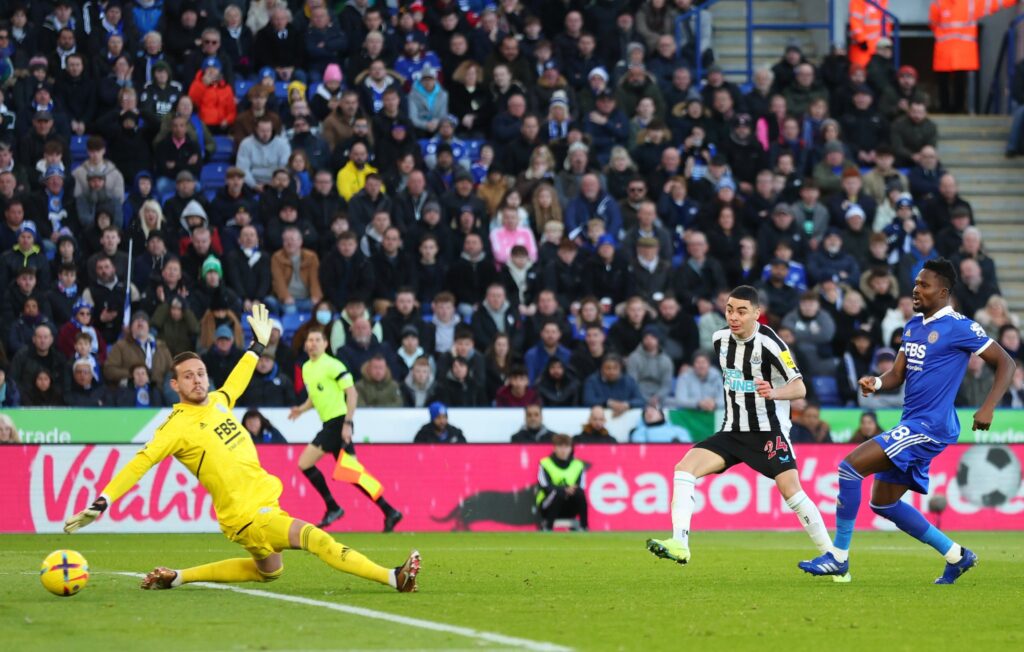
{"x": 480, "y": 205}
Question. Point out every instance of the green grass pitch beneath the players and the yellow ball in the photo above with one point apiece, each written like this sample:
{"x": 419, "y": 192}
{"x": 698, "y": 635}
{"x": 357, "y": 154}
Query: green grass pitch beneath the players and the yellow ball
{"x": 588, "y": 592}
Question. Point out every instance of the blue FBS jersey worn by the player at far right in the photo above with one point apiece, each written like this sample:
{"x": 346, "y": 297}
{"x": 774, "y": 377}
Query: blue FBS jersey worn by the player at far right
{"x": 937, "y": 352}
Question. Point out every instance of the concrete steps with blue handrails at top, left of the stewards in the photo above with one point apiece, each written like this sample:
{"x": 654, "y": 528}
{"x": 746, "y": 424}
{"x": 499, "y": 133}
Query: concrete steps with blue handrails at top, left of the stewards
{"x": 730, "y": 21}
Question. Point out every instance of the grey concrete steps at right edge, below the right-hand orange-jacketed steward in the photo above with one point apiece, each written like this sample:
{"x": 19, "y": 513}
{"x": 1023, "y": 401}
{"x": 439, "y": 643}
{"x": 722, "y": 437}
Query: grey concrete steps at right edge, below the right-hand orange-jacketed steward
{"x": 971, "y": 148}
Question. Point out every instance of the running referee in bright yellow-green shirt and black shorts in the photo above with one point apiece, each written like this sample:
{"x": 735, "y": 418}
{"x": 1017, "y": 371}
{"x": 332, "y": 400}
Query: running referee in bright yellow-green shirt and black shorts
{"x": 332, "y": 393}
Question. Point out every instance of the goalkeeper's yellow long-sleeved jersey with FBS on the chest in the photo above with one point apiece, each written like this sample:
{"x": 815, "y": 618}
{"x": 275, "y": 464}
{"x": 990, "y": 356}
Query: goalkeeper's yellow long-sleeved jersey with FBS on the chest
{"x": 215, "y": 447}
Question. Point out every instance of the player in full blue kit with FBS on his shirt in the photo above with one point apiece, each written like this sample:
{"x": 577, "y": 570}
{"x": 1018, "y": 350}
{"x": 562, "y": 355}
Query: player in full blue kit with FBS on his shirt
{"x": 932, "y": 359}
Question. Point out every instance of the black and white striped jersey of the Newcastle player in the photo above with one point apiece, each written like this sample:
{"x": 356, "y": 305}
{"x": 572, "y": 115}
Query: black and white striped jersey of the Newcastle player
{"x": 764, "y": 356}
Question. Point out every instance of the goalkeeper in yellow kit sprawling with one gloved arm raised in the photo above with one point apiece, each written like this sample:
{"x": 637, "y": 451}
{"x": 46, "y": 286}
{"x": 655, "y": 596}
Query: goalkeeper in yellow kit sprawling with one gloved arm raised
{"x": 203, "y": 434}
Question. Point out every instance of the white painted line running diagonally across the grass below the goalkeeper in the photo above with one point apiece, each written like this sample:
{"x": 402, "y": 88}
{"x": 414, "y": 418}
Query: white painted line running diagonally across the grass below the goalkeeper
{"x": 490, "y": 637}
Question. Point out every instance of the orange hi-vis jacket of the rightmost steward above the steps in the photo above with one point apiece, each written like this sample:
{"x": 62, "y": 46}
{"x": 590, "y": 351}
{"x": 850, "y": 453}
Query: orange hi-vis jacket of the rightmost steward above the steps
{"x": 955, "y": 24}
